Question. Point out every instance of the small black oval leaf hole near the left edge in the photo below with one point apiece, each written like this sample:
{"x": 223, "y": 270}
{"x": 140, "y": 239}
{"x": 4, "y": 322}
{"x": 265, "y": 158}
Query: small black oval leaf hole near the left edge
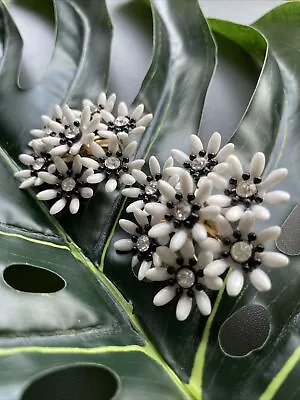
{"x": 31, "y": 279}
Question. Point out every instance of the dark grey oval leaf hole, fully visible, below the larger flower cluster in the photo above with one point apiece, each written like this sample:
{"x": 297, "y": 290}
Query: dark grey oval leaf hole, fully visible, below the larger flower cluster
{"x": 245, "y": 331}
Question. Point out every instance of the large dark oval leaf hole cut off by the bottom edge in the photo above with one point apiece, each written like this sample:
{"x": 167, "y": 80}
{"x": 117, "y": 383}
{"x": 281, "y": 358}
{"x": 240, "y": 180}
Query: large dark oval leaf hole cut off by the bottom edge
{"x": 74, "y": 382}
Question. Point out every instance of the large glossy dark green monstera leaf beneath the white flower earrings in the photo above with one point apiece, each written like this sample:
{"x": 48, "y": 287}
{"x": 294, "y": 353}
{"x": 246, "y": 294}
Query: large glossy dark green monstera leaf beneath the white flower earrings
{"x": 74, "y": 321}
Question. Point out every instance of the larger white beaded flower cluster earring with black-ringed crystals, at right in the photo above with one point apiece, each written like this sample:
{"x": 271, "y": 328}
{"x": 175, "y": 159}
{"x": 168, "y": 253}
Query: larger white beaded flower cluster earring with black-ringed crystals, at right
{"x": 195, "y": 220}
